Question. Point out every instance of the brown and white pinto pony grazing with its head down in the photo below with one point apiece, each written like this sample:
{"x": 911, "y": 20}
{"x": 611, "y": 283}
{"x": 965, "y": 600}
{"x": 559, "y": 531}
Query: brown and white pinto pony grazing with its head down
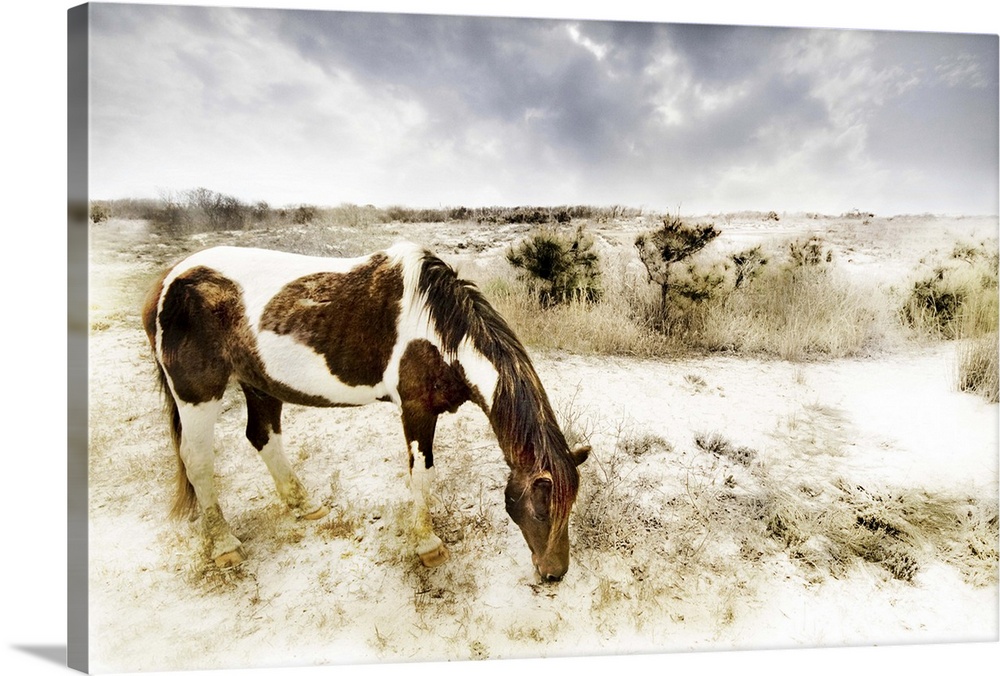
{"x": 398, "y": 326}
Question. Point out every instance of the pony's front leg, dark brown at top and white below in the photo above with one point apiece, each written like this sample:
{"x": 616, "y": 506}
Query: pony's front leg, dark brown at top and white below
{"x": 418, "y": 427}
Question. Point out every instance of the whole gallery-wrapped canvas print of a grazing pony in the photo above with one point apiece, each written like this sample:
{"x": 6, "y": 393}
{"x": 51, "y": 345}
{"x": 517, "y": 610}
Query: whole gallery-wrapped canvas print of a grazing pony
{"x": 423, "y": 338}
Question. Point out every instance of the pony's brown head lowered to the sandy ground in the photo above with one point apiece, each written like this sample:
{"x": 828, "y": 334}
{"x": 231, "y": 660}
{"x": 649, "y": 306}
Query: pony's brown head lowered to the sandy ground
{"x": 539, "y": 503}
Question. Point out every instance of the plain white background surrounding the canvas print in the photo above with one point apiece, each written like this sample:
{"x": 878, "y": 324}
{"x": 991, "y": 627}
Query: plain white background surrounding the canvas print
{"x": 33, "y": 331}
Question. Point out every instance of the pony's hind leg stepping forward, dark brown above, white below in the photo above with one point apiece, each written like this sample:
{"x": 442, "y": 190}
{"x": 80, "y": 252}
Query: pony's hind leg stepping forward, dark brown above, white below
{"x": 264, "y": 433}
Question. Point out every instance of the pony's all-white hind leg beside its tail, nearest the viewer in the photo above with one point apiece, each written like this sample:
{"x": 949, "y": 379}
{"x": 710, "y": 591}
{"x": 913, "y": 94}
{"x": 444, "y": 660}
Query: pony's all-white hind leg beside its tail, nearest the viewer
{"x": 198, "y": 456}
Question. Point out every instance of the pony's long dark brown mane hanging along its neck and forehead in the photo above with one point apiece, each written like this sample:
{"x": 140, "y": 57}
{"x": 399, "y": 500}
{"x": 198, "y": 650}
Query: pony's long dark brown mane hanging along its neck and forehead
{"x": 520, "y": 413}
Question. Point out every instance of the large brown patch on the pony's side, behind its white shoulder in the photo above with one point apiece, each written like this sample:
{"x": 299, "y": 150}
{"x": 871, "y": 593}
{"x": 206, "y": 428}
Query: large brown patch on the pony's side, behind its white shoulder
{"x": 349, "y": 318}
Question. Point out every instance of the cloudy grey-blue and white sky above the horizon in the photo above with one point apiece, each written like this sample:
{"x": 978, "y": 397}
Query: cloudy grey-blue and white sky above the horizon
{"x": 331, "y": 107}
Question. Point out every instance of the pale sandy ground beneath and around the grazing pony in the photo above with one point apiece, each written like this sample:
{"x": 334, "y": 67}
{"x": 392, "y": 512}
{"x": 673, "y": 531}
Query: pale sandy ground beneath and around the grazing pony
{"x": 311, "y": 595}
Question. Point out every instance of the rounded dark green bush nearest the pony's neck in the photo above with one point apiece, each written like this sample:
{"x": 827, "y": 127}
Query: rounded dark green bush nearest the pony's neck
{"x": 558, "y": 267}
